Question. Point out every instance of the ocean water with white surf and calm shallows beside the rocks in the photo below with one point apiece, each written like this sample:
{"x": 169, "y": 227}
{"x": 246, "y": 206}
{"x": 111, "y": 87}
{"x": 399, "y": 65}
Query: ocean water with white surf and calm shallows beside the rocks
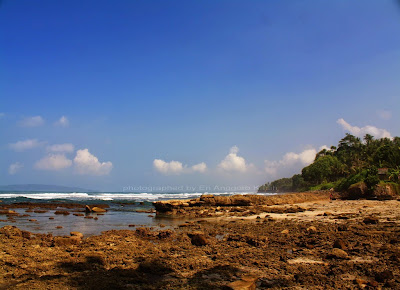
{"x": 126, "y": 211}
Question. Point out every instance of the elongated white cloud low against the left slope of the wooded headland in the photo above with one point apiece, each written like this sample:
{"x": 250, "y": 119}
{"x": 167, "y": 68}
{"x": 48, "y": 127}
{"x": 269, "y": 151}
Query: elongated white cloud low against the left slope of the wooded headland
{"x": 291, "y": 162}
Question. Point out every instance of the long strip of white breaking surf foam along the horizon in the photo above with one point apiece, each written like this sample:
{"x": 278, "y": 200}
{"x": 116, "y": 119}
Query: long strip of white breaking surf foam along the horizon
{"x": 116, "y": 196}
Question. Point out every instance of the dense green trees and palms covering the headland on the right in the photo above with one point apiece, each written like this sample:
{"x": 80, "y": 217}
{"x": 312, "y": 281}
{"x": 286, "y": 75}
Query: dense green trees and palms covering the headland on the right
{"x": 352, "y": 161}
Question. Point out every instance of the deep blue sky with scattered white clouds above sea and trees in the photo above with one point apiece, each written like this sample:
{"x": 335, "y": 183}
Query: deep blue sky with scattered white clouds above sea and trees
{"x": 237, "y": 93}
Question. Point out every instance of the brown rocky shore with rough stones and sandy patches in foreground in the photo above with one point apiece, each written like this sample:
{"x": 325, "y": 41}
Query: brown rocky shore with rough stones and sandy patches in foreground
{"x": 313, "y": 243}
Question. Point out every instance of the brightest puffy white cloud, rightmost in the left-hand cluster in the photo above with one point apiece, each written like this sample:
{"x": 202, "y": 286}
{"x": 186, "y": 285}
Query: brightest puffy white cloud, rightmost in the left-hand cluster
{"x": 87, "y": 163}
